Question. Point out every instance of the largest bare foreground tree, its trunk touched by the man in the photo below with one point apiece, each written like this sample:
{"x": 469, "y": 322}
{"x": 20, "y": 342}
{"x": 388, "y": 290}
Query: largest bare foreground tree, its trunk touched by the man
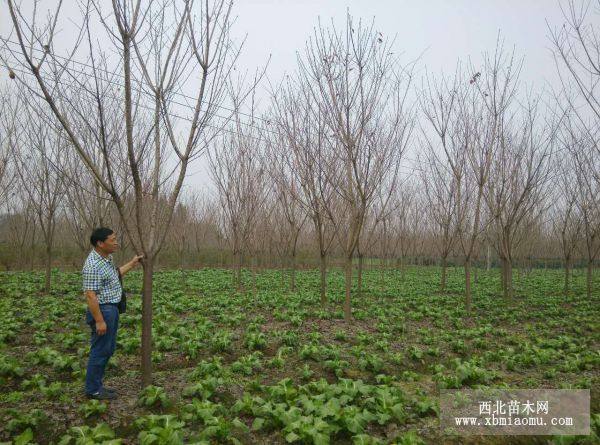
{"x": 160, "y": 48}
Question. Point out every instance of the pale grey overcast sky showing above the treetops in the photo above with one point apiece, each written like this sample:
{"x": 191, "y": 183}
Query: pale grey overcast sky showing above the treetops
{"x": 439, "y": 31}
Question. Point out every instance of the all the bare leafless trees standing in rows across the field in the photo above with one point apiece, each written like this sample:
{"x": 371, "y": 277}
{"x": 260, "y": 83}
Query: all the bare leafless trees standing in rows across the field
{"x": 109, "y": 140}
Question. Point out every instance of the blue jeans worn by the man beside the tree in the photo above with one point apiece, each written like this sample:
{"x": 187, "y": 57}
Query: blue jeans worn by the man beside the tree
{"x": 102, "y": 347}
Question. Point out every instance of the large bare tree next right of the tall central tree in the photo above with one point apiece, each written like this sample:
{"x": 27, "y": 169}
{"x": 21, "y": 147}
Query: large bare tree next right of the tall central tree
{"x": 466, "y": 116}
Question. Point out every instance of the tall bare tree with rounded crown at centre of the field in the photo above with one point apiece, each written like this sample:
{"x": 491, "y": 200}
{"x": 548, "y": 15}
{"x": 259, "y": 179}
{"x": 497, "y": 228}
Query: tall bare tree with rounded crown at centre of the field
{"x": 353, "y": 78}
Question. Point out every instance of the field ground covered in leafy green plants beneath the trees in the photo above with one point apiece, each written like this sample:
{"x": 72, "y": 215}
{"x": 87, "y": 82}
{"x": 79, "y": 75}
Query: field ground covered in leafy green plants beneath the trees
{"x": 275, "y": 367}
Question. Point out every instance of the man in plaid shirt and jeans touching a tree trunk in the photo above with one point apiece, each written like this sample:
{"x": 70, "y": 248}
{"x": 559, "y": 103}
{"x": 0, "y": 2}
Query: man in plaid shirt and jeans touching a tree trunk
{"x": 103, "y": 291}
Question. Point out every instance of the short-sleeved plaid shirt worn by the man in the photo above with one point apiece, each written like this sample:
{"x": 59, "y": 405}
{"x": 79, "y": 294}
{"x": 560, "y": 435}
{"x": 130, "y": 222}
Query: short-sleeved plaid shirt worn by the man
{"x": 100, "y": 275}
